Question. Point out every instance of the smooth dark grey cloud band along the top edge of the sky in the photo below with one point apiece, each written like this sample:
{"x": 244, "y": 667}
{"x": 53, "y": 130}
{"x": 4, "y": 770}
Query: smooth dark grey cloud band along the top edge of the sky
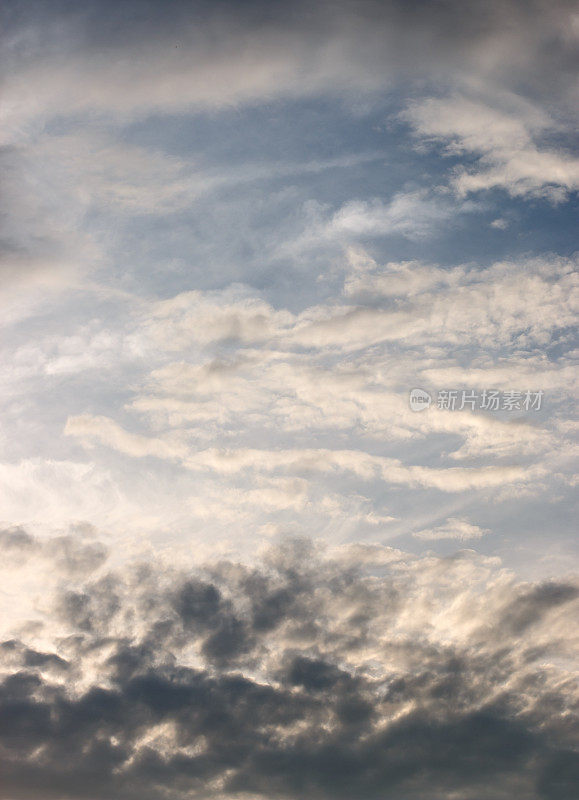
{"x": 133, "y": 56}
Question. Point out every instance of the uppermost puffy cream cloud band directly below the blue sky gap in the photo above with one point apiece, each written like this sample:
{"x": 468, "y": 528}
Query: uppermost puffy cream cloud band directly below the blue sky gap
{"x": 503, "y": 302}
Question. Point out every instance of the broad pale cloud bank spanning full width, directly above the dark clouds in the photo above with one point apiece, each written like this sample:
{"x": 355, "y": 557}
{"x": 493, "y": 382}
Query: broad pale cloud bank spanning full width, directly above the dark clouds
{"x": 236, "y": 409}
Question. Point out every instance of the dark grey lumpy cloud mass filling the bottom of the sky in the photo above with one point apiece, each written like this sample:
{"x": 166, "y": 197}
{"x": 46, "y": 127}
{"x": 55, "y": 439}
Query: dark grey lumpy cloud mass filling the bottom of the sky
{"x": 166, "y": 684}
